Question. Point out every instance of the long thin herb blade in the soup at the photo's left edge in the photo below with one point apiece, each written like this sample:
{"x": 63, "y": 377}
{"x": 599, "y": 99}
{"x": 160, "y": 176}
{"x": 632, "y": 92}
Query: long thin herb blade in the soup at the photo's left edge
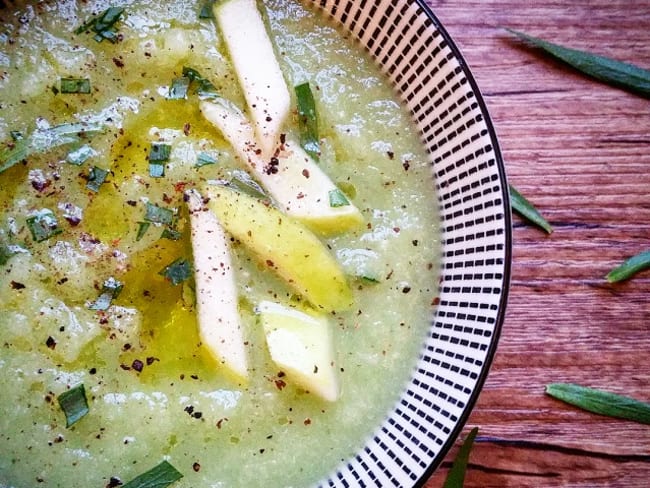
{"x": 43, "y": 140}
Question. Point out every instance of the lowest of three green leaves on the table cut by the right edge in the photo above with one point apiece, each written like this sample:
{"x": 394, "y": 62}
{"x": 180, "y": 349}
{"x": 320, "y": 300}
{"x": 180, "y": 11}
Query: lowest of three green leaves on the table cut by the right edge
{"x": 601, "y": 402}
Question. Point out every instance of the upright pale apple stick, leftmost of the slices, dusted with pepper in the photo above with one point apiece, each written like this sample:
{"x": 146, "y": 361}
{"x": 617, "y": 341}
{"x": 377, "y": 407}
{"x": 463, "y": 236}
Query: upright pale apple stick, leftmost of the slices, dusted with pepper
{"x": 220, "y": 327}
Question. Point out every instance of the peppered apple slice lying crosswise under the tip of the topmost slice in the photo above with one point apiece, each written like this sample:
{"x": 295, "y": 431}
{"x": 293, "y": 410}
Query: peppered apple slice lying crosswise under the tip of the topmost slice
{"x": 296, "y": 182}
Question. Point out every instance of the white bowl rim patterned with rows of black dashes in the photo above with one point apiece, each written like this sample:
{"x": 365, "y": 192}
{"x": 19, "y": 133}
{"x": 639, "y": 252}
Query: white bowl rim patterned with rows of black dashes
{"x": 417, "y": 55}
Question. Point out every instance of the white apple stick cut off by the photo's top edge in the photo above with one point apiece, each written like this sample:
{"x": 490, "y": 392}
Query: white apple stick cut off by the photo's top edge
{"x": 257, "y": 68}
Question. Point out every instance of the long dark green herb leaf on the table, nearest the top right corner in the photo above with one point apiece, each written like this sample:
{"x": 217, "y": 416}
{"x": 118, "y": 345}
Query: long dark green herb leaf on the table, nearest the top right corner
{"x": 610, "y": 71}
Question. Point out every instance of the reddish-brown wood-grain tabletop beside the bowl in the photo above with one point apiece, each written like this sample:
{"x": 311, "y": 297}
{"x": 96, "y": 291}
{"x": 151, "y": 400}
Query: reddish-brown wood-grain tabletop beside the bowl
{"x": 581, "y": 152}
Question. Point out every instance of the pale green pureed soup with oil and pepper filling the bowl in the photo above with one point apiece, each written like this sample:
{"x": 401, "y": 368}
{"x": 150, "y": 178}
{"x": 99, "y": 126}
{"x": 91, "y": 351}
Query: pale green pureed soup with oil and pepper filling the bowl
{"x": 97, "y": 276}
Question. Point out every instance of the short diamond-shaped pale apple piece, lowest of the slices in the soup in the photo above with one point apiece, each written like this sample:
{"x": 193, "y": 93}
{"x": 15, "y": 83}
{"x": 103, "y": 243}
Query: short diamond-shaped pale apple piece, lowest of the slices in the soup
{"x": 300, "y": 343}
